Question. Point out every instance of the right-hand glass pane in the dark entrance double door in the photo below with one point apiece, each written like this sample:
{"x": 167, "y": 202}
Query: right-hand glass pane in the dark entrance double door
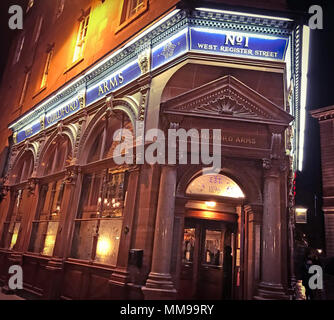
{"x": 213, "y": 248}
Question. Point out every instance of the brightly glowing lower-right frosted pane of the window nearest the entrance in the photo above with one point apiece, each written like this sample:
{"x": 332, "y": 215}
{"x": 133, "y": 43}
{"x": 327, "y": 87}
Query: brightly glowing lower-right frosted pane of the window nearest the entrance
{"x": 108, "y": 241}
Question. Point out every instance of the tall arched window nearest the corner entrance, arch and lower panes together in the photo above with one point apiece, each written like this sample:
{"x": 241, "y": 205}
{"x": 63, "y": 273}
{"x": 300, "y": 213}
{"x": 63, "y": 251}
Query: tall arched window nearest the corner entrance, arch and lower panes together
{"x": 99, "y": 218}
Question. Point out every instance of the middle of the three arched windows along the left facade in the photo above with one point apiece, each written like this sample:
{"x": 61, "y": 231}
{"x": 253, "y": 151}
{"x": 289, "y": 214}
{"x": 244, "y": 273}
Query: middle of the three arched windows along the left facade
{"x": 51, "y": 192}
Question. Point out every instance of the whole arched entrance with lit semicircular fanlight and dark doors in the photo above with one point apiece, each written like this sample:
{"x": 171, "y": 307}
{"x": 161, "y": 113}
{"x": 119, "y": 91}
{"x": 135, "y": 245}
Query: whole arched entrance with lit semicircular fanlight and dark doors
{"x": 210, "y": 261}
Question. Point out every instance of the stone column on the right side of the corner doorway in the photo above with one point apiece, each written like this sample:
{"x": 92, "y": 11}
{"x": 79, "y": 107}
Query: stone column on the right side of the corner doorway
{"x": 271, "y": 286}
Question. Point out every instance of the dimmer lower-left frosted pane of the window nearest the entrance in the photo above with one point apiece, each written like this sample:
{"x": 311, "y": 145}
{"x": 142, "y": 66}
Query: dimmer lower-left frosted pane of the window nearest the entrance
{"x": 84, "y": 233}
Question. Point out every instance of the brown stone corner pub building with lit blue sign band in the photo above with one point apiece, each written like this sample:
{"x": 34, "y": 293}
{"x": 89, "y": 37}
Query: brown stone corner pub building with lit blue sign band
{"x": 84, "y": 227}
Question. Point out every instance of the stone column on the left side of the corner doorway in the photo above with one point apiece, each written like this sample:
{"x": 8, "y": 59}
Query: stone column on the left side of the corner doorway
{"x": 159, "y": 284}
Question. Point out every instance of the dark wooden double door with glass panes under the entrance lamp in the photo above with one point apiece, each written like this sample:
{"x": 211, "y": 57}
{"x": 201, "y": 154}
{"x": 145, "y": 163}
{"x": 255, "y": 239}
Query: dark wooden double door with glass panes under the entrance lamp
{"x": 207, "y": 266}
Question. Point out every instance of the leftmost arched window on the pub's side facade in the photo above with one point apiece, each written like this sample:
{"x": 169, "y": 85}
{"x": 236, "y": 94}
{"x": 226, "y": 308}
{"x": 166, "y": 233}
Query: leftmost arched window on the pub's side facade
{"x": 19, "y": 202}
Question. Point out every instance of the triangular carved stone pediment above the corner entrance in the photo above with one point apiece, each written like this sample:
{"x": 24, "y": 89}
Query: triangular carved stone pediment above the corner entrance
{"x": 227, "y": 98}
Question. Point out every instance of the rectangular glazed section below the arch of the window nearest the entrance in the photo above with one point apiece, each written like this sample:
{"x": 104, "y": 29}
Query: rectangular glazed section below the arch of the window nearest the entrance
{"x": 99, "y": 220}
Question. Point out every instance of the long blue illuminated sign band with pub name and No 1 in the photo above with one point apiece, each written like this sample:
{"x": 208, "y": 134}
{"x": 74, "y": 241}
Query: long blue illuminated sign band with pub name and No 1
{"x": 210, "y": 41}
